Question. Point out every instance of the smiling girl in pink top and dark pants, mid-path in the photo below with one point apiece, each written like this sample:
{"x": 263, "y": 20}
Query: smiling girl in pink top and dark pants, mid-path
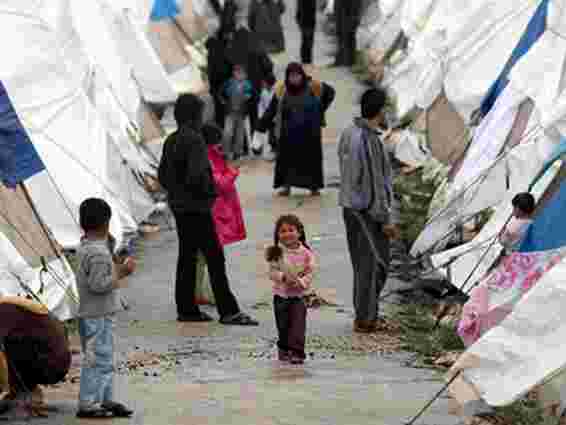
{"x": 291, "y": 269}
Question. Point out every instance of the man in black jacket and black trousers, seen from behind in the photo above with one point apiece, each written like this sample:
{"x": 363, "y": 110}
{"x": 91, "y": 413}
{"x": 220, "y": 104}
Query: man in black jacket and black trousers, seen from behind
{"x": 186, "y": 174}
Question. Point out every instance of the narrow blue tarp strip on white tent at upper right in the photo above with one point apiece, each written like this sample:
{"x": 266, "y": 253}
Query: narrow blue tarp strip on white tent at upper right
{"x": 535, "y": 29}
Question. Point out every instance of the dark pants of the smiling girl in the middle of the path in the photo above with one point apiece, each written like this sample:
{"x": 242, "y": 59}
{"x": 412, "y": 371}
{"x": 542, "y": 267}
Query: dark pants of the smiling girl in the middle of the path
{"x": 291, "y": 321}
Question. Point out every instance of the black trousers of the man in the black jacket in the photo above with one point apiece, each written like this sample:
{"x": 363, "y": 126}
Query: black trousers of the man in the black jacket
{"x": 196, "y": 233}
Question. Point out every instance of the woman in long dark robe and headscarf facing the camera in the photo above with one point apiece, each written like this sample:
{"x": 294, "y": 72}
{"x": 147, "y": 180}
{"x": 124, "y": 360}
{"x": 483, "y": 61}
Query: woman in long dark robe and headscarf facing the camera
{"x": 297, "y": 110}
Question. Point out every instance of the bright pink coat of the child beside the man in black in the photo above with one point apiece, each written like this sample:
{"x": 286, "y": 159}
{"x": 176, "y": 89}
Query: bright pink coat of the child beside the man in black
{"x": 227, "y": 211}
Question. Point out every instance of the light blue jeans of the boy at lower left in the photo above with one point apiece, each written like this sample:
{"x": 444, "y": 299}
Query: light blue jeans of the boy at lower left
{"x": 97, "y": 368}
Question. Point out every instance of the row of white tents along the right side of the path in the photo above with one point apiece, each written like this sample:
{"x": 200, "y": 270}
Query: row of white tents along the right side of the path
{"x": 482, "y": 87}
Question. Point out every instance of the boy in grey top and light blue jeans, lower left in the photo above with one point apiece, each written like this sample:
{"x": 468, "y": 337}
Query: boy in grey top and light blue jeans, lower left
{"x": 98, "y": 283}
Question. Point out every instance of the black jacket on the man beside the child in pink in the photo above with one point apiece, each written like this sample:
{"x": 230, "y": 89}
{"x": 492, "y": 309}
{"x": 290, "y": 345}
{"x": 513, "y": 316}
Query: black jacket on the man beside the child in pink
{"x": 185, "y": 172}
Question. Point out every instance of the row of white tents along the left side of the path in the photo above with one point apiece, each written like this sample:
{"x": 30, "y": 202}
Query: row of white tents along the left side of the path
{"x": 83, "y": 86}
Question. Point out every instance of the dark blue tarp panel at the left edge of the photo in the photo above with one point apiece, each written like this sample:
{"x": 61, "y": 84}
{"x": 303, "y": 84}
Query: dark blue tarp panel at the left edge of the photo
{"x": 18, "y": 158}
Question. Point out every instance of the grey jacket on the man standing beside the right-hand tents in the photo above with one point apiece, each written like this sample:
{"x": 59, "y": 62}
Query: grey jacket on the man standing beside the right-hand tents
{"x": 366, "y": 175}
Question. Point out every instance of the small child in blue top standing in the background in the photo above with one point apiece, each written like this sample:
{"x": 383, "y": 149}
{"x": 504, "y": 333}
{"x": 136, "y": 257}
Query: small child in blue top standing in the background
{"x": 236, "y": 95}
